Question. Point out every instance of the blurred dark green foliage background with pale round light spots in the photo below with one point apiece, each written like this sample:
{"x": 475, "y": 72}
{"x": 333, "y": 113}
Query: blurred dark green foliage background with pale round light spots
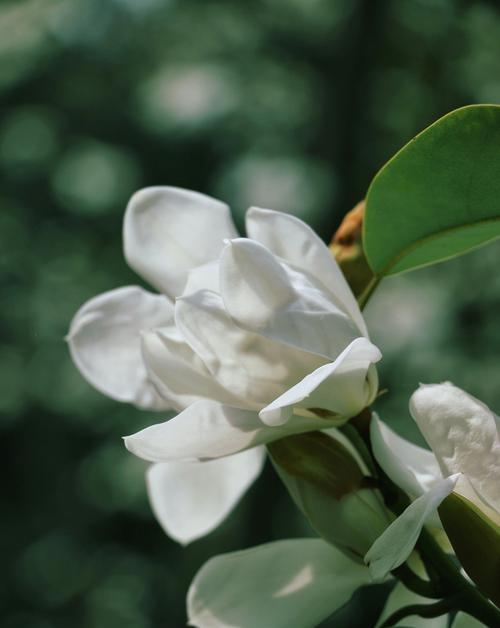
{"x": 288, "y": 104}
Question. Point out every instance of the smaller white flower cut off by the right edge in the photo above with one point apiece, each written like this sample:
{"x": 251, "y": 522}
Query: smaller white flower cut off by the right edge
{"x": 463, "y": 434}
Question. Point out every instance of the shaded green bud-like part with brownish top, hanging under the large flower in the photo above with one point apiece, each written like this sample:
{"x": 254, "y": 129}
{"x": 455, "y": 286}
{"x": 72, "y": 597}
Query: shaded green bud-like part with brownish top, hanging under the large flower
{"x": 327, "y": 481}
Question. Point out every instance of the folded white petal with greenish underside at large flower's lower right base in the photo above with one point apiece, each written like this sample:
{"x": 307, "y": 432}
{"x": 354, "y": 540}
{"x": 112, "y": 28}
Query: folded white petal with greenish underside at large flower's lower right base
{"x": 343, "y": 387}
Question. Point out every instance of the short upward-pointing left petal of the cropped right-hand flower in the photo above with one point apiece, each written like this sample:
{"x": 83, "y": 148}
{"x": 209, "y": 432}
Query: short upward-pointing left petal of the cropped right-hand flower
{"x": 412, "y": 468}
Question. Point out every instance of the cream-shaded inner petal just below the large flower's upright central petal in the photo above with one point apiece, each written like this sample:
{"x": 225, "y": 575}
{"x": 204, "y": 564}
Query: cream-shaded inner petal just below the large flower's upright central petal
{"x": 255, "y": 369}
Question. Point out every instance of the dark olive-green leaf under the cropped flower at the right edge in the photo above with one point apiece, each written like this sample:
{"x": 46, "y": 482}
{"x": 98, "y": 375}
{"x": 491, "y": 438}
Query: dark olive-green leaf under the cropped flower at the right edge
{"x": 476, "y": 541}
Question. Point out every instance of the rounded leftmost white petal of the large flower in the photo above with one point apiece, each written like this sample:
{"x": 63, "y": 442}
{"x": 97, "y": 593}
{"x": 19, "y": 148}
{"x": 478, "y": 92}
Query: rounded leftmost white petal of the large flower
{"x": 104, "y": 340}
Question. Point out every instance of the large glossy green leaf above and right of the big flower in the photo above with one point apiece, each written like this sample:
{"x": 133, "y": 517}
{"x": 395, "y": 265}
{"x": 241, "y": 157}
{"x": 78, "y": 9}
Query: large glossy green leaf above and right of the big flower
{"x": 439, "y": 196}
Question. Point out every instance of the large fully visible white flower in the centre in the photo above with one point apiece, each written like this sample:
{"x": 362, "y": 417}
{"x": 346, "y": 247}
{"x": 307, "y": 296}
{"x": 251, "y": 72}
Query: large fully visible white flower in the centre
{"x": 248, "y": 335}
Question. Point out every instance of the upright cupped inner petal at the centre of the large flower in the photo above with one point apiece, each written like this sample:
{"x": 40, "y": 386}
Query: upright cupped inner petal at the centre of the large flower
{"x": 264, "y": 296}
